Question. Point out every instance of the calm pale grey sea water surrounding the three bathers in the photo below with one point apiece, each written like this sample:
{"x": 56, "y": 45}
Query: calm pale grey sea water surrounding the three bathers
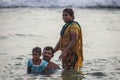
{"x": 23, "y": 28}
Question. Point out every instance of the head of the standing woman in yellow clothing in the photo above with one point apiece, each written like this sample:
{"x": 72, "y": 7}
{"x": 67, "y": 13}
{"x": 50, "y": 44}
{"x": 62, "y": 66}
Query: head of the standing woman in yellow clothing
{"x": 68, "y": 14}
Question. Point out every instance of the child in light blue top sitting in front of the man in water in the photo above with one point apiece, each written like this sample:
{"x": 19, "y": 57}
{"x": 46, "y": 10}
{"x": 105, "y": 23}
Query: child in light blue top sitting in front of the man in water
{"x": 36, "y": 65}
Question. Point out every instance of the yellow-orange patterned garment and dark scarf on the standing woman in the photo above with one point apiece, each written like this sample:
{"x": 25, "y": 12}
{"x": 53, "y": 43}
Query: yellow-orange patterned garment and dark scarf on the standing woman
{"x": 74, "y": 58}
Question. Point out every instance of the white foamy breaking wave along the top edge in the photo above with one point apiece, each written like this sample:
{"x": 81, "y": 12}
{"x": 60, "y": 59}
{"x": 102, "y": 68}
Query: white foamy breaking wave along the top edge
{"x": 60, "y": 3}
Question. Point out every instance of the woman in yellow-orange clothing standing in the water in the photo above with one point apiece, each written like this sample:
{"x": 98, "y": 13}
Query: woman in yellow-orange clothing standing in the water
{"x": 70, "y": 42}
